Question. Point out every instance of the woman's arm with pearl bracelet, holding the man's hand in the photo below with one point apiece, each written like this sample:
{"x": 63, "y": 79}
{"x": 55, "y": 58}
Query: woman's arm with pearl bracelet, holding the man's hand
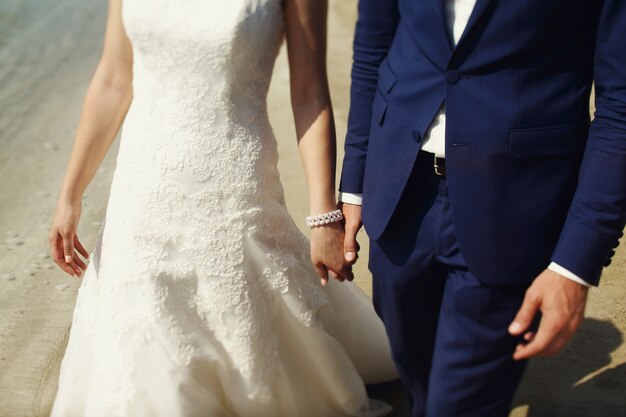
{"x": 313, "y": 114}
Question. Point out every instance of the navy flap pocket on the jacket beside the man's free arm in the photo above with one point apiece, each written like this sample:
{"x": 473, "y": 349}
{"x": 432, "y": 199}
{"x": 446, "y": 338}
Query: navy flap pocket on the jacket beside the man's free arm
{"x": 547, "y": 141}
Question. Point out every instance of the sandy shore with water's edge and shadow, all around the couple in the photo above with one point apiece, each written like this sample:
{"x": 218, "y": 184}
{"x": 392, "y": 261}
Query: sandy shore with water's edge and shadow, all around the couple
{"x": 48, "y": 52}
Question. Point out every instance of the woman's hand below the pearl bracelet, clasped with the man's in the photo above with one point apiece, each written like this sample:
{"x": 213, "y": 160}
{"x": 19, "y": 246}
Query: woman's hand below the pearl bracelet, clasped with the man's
{"x": 327, "y": 253}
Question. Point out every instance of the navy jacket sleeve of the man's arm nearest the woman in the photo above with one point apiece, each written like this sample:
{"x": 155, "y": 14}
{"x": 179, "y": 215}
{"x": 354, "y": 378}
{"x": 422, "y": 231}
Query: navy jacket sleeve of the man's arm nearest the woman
{"x": 375, "y": 30}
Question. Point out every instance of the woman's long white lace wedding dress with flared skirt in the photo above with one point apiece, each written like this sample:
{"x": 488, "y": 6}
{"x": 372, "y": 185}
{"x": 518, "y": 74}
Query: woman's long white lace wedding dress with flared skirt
{"x": 200, "y": 299}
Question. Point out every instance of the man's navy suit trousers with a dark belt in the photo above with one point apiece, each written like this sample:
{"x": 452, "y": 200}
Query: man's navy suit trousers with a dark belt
{"x": 448, "y": 331}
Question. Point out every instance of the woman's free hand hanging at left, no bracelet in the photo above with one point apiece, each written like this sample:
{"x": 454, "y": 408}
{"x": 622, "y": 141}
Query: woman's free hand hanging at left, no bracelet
{"x": 64, "y": 243}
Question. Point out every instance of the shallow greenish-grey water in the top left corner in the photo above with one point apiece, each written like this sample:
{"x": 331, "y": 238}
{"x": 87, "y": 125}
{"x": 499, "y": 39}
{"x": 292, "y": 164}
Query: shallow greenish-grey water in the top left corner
{"x": 43, "y": 45}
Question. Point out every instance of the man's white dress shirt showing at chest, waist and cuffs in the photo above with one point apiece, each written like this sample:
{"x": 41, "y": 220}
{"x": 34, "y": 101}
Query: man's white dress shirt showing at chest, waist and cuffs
{"x": 458, "y": 13}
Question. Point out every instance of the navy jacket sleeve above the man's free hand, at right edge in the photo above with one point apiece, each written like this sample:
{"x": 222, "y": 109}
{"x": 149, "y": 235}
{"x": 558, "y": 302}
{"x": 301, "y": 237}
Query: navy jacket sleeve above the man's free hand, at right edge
{"x": 598, "y": 212}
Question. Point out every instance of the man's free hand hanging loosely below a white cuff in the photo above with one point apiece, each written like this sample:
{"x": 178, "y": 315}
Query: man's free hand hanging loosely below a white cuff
{"x": 561, "y": 302}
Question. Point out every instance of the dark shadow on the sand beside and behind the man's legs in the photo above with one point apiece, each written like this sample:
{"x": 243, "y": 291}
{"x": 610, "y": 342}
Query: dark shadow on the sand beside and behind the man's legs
{"x": 574, "y": 383}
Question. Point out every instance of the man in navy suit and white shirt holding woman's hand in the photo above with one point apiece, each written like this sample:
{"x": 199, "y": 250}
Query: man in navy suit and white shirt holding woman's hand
{"x": 491, "y": 200}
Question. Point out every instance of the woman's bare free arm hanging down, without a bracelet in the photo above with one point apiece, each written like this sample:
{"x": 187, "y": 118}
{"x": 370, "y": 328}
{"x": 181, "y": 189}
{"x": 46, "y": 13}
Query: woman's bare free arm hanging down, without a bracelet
{"x": 104, "y": 108}
